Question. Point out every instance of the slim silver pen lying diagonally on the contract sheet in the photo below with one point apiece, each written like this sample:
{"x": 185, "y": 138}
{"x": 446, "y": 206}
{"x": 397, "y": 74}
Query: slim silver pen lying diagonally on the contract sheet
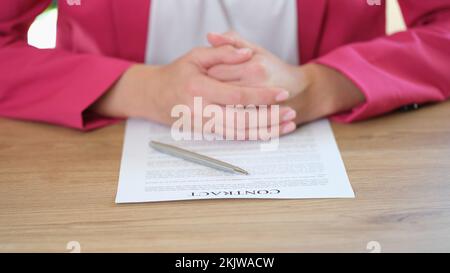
{"x": 195, "y": 157}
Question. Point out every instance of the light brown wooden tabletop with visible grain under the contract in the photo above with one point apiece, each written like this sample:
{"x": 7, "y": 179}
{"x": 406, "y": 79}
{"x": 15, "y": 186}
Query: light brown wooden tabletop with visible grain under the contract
{"x": 58, "y": 185}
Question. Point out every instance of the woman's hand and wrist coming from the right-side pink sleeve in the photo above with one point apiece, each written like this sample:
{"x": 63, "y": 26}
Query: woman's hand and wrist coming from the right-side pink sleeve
{"x": 316, "y": 91}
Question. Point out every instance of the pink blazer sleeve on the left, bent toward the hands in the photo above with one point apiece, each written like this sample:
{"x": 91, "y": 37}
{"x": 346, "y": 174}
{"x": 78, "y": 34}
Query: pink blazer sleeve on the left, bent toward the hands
{"x": 49, "y": 85}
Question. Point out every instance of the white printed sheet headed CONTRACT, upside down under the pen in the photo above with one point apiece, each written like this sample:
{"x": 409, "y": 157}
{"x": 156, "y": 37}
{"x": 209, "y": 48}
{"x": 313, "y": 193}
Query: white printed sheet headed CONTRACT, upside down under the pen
{"x": 304, "y": 164}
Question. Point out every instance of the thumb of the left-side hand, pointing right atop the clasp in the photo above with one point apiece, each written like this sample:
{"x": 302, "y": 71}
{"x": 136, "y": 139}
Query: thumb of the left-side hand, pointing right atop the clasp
{"x": 208, "y": 57}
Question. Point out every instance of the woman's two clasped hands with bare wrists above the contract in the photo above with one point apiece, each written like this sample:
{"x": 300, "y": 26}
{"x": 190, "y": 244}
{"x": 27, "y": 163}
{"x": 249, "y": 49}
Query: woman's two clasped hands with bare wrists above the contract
{"x": 232, "y": 71}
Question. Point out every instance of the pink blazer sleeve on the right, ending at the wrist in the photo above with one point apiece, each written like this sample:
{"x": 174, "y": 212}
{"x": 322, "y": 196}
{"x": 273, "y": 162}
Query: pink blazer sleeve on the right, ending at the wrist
{"x": 410, "y": 67}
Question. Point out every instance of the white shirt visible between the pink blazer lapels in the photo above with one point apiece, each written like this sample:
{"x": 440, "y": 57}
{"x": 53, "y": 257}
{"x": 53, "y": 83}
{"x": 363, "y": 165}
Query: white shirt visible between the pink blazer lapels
{"x": 177, "y": 26}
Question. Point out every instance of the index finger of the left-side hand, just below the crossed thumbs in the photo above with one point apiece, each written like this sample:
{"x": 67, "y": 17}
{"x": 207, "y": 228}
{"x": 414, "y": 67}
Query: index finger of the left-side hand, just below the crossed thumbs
{"x": 227, "y": 94}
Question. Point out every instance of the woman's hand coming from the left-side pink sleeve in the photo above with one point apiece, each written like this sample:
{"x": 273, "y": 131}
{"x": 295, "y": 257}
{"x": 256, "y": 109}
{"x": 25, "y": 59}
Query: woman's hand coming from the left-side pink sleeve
{"x": 151, "y": 92}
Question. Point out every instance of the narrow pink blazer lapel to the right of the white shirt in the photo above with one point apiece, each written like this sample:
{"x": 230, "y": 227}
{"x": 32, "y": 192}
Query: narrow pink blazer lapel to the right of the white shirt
{"x": 311, "y": 15}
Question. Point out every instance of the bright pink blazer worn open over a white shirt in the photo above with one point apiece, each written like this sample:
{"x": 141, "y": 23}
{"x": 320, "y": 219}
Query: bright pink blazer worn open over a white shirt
{"x": 98, "y": 40}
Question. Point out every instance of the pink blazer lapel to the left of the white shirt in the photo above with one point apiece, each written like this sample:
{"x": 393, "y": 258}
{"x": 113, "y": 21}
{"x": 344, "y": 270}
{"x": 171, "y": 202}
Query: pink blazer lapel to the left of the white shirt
{"x": 130, "y": 19}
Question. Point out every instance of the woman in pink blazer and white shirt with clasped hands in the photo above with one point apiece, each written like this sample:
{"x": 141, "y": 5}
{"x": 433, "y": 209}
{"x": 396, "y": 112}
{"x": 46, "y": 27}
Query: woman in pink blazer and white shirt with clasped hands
{"x": 140, "y": 58}
